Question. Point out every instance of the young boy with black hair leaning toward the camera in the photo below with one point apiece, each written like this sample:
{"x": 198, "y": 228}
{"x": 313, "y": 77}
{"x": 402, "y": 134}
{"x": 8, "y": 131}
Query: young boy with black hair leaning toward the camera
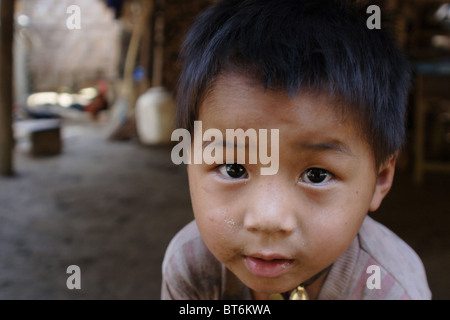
{"x": 336, "y": 91}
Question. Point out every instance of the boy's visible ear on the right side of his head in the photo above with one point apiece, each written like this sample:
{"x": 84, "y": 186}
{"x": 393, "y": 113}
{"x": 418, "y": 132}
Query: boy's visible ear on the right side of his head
{"x": 385, "y": 178}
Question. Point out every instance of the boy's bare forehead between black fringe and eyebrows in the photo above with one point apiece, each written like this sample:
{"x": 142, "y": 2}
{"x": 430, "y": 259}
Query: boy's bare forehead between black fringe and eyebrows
{"x": 307, "y": 118}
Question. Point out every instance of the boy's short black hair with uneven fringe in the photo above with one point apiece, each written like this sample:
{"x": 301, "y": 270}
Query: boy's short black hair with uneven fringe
{"x": 317, "y": 45}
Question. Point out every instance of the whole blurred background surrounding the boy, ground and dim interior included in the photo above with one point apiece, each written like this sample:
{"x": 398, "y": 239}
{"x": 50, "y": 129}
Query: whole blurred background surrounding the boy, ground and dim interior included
{"x": 86, "y": 111}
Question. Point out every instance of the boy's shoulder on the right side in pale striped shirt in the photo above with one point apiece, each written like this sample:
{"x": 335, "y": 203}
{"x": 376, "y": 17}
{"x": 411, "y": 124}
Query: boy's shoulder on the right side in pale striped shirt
{"x": 377, "y": 265}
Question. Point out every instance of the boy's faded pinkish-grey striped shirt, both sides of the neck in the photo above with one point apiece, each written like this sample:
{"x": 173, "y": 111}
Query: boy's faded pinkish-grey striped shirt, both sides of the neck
{"x": 191, "y": 272}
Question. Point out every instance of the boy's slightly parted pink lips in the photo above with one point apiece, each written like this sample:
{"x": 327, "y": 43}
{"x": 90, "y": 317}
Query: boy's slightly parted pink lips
{"x": 267, "y": 266}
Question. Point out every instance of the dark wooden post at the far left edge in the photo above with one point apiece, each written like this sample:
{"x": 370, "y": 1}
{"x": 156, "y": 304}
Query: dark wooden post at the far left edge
{"x": 6, "y": 90}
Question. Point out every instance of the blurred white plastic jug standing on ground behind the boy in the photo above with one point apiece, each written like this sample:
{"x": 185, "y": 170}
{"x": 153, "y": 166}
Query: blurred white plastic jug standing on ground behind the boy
{"x": 155, "y": 115}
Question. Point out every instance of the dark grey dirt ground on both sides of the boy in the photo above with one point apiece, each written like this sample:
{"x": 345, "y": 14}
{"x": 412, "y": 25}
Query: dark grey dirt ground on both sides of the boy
{"x": 111, "y": 208}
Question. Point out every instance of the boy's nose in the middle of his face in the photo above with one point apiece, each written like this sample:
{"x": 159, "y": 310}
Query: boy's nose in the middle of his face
{"x": 271, "y": 211}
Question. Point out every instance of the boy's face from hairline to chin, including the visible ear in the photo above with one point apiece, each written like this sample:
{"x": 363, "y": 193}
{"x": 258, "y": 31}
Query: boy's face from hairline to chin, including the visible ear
{"x": 277, "y": 231}
